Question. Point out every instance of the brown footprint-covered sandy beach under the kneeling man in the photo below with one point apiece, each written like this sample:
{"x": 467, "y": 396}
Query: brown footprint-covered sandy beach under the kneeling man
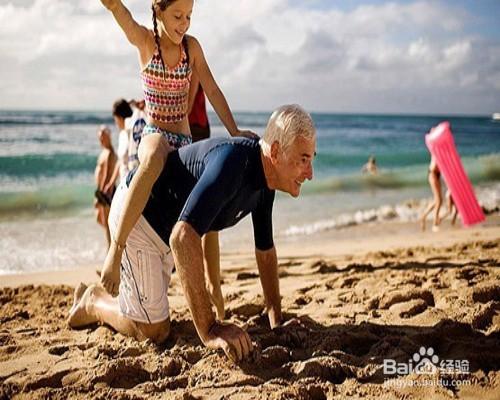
{"x": 365, "y": 295}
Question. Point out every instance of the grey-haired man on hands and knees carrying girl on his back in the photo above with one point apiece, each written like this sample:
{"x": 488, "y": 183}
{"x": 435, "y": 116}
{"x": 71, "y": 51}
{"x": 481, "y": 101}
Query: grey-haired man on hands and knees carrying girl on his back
{"x": 206, "y": 186}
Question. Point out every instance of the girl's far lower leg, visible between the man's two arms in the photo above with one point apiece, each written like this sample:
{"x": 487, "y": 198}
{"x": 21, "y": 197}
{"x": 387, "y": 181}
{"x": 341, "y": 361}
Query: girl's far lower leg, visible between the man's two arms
{"x": 211, "y": 262}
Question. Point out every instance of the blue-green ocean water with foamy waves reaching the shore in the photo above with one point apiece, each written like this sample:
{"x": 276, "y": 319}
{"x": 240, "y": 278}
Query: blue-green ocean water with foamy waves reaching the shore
{"x": 47, "y": 161}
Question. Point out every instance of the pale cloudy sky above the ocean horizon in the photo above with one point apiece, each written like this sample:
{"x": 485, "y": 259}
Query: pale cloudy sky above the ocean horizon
{"x": 343, "y": 56}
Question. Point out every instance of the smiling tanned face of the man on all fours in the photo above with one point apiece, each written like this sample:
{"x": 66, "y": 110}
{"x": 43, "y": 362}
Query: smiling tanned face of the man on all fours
{"x": 294, "y": 164}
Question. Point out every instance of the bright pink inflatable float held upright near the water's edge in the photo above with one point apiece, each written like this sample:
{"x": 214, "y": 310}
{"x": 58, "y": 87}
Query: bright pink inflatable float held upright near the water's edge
{"x": 440, "y": 143}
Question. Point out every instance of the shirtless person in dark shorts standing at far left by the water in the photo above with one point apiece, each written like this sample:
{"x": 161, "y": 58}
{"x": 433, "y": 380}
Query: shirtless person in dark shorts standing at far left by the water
{"x": 104, "y": 169}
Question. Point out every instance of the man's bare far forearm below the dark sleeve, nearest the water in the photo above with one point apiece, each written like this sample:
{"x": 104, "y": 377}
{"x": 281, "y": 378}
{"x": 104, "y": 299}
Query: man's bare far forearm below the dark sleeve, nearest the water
{"x": 267, "y": 263}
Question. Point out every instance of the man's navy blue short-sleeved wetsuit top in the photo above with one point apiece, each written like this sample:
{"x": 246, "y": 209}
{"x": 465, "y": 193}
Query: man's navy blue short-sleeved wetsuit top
{"x": 213, "y": 184}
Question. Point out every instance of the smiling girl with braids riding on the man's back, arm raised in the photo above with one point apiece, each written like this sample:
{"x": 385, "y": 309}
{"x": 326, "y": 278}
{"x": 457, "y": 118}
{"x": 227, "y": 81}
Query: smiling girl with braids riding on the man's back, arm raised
{"x": 167, "y": 58}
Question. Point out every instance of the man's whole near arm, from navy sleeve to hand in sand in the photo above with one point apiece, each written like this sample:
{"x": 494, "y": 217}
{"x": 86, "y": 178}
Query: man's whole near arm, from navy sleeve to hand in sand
{"x": 221, "y": 178}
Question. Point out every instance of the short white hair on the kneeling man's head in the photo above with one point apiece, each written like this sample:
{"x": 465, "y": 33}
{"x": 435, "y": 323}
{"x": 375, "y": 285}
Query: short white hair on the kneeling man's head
{"x": 286, "y": 124}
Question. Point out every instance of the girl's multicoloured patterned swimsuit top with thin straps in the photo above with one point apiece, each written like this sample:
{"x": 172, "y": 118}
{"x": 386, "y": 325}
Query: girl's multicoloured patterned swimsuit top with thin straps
{"x": 166, "y": 91}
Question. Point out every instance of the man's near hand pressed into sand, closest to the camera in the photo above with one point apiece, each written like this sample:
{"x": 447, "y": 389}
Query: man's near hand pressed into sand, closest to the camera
{"x": 232, "y": 339}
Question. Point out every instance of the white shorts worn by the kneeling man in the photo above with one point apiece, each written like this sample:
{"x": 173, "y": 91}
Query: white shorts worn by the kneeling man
{"x": 146, "y": 268}
